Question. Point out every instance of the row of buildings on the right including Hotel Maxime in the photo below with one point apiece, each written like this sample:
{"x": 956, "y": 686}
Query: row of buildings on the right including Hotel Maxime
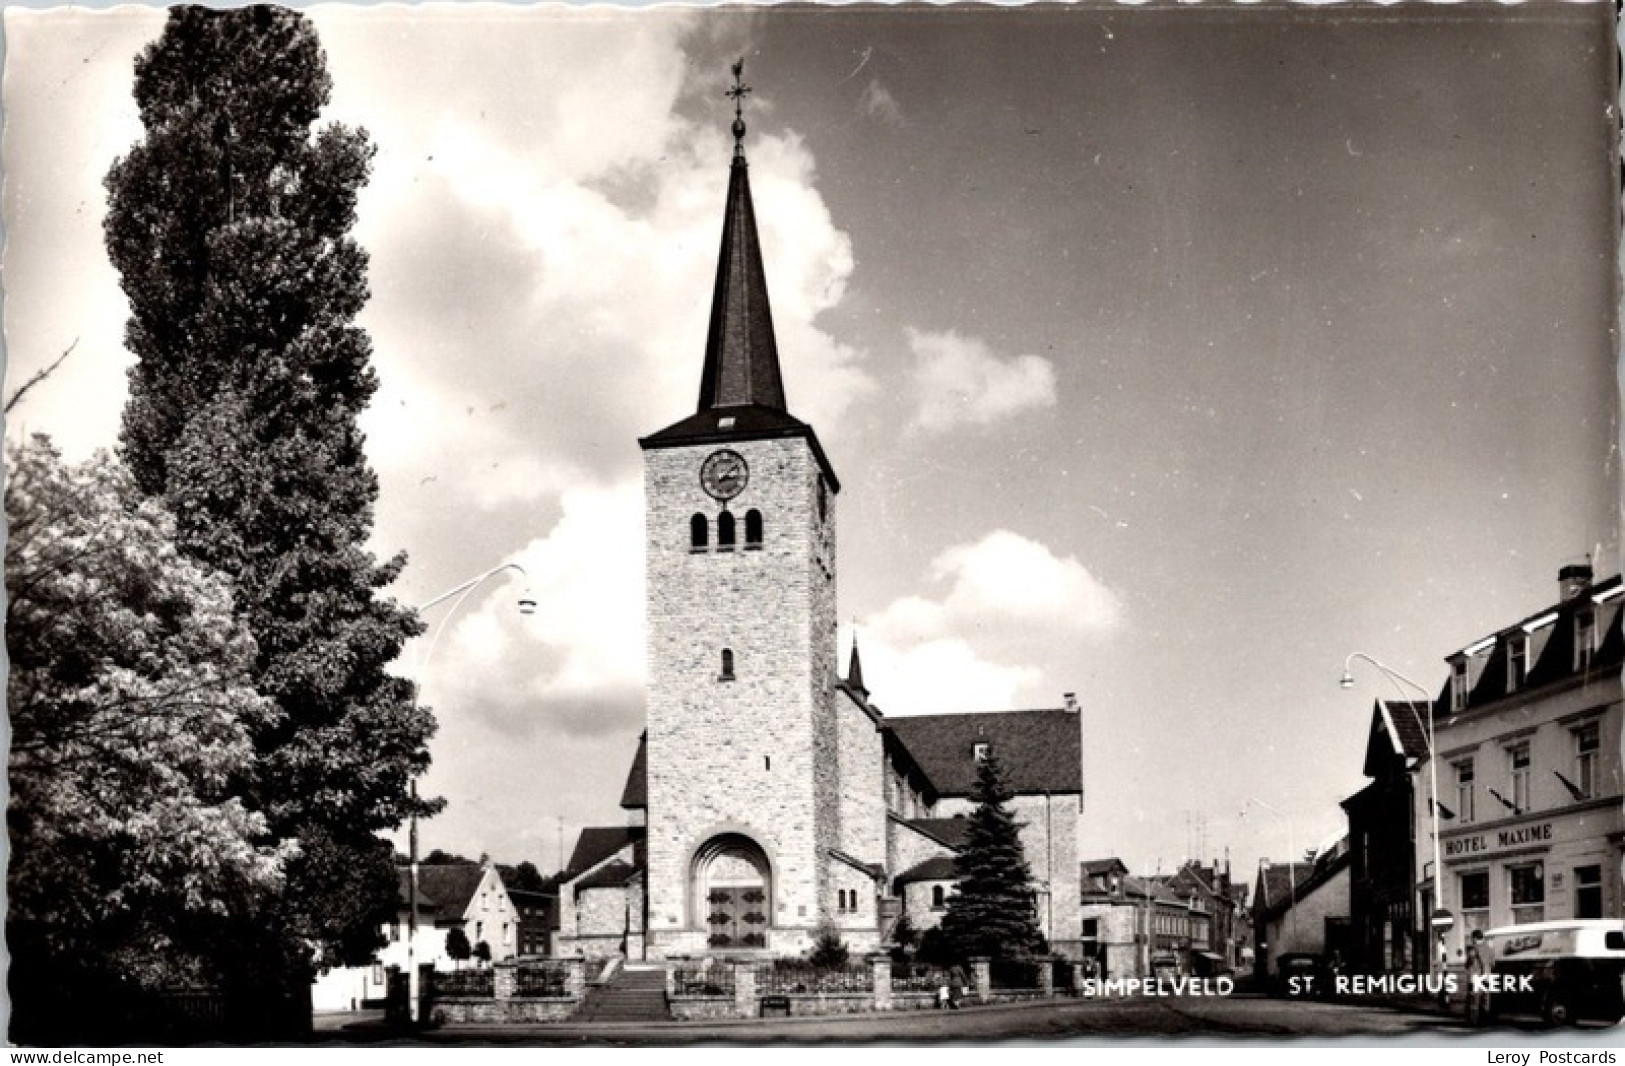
{"x": 1499, "y": 802}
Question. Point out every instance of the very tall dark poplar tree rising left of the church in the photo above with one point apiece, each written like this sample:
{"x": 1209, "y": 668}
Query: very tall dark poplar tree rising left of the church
{"x": 230, "y": 227}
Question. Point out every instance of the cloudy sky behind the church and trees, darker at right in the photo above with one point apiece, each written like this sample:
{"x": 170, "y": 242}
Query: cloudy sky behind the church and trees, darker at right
{"x": 1166, "y": 357}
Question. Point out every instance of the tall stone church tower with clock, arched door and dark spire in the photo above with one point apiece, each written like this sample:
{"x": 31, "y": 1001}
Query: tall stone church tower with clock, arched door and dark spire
{"x": 742, "y": 760}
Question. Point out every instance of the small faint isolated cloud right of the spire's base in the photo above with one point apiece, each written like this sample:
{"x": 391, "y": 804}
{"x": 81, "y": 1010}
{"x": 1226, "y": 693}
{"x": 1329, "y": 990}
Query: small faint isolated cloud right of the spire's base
{"x": 960, "y": 381}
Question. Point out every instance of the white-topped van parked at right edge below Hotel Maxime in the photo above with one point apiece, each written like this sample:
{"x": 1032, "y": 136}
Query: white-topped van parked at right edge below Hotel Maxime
{"x": 1561, "y": 971}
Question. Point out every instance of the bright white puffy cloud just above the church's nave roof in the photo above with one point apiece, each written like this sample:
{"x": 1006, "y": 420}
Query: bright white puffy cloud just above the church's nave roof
{"x": 1007, "y": 599}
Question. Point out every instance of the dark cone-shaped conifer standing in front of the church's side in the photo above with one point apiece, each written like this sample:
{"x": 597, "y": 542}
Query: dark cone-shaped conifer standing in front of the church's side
{"x": 994, "y": 911}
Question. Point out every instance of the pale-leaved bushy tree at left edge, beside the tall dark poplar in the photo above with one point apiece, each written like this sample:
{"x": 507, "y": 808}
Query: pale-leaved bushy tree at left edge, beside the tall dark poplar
{"x": 131, "y": 719}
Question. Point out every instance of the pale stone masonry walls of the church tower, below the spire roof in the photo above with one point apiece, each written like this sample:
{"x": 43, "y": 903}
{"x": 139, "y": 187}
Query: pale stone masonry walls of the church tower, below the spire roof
{"x": 739, "y": 755}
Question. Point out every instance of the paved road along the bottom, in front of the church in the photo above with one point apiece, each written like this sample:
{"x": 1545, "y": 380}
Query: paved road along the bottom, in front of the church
{"x": 1065, "y": 1018}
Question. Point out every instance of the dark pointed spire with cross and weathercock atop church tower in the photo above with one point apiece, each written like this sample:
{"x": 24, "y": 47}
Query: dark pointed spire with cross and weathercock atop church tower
{"x": 742, "y": 357}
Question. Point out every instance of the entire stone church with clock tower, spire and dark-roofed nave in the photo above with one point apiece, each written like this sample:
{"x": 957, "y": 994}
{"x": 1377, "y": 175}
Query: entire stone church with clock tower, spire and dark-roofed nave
{"x": 769, "y": 799}
